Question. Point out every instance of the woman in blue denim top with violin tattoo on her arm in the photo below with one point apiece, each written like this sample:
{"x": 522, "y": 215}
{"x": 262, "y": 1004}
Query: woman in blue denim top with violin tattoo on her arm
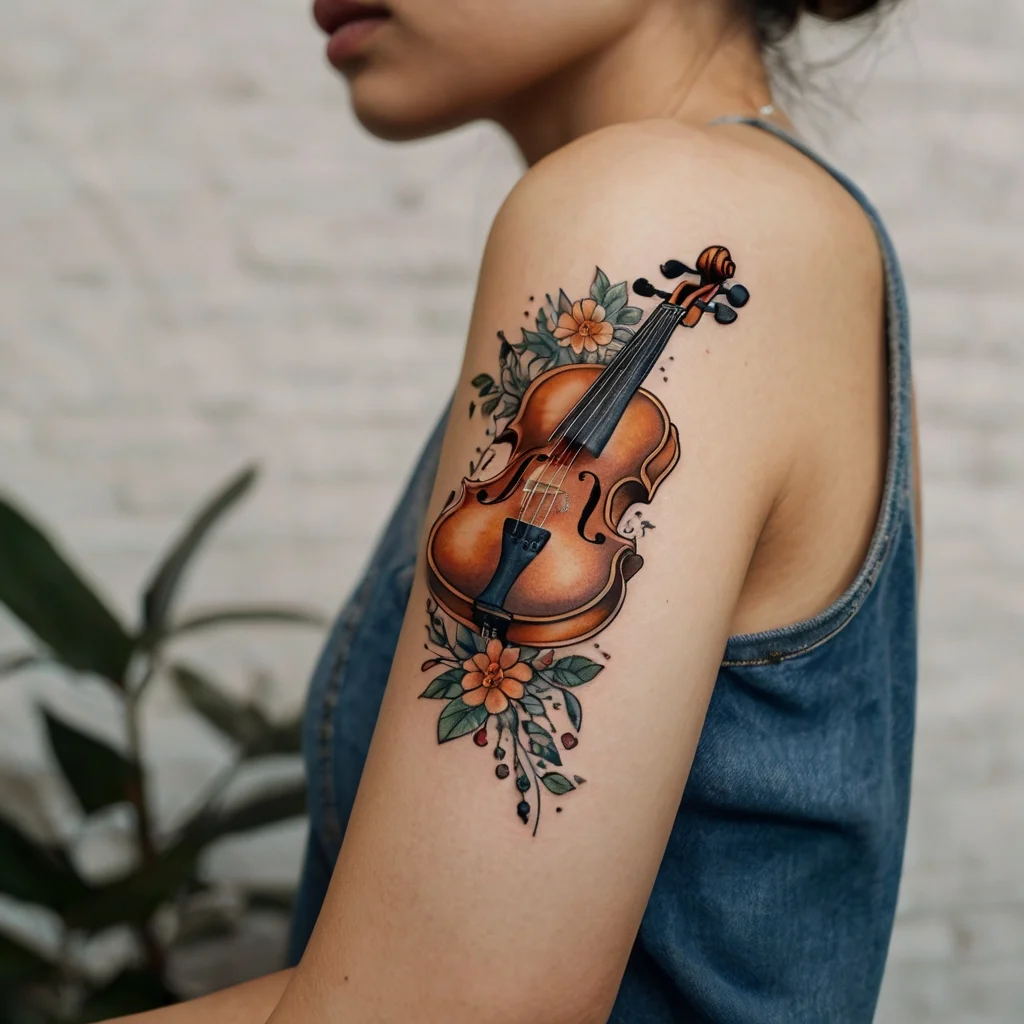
{"x": 647, "y": 613}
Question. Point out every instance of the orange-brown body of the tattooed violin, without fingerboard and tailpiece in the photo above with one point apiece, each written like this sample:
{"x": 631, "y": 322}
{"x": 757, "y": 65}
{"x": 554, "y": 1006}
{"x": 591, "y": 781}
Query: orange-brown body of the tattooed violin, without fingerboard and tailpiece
{"x": 579, "y": 583}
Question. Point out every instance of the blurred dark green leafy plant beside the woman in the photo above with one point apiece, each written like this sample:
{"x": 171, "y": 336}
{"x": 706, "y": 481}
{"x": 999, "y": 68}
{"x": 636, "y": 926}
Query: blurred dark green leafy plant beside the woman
{"x": 77, "y": 632}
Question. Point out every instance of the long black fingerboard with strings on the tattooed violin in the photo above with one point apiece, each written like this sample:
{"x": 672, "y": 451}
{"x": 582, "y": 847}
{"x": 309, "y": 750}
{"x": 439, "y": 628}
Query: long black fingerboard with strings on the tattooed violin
{"x": 593, "y": 419}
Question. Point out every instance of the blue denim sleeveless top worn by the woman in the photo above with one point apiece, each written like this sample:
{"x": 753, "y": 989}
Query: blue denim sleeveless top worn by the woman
{"x": 776, "y": 899}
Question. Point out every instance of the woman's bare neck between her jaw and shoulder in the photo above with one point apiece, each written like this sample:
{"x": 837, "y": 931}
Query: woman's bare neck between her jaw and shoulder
{"x": 686, "y": 63}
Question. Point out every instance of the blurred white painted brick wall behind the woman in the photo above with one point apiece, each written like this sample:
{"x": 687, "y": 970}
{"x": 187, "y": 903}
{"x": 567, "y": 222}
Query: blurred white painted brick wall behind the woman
{"x": 203, "y": 261}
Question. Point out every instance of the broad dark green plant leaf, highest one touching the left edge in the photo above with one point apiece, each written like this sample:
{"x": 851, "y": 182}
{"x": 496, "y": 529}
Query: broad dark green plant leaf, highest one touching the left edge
{"x": 42, "y": 590}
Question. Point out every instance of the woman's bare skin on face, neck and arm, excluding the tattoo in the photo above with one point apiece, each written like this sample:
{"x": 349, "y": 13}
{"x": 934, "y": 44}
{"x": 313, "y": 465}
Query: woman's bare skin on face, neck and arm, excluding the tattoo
{"x": 784, "y": 430}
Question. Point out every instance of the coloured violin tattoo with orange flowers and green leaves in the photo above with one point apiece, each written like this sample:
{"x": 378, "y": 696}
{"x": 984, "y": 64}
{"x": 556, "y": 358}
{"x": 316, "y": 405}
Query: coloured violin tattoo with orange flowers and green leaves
{"x": 535, "y": 557}
